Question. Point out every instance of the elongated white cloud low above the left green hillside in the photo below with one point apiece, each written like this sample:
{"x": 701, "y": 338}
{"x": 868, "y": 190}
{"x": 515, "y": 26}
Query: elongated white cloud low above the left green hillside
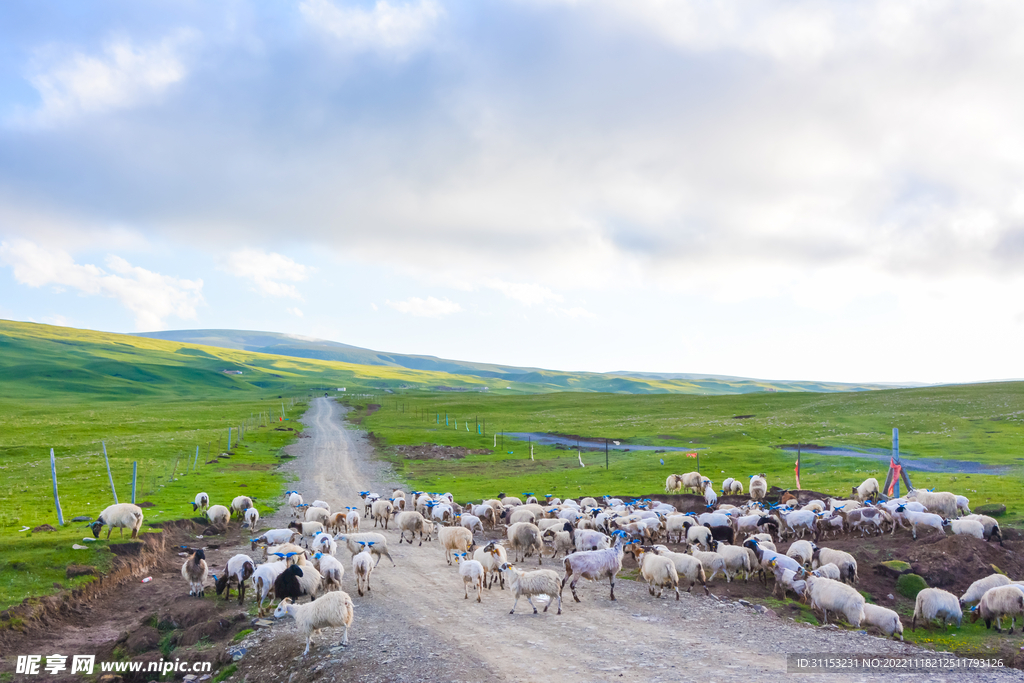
{"x": 150, "y": 296}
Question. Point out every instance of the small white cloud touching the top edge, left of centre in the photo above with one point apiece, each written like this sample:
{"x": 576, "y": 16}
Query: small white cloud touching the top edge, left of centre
{"x": 388, "y": 28}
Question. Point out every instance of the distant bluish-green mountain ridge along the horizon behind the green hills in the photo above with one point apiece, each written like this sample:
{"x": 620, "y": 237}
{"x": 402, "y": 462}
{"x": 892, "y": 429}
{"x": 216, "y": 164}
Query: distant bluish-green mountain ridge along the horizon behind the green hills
{"x": 631, "y": 382}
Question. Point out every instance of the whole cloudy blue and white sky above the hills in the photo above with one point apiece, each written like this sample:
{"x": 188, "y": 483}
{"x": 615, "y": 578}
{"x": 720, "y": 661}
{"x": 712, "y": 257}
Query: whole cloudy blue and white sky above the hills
{"x": 781, "y": 190}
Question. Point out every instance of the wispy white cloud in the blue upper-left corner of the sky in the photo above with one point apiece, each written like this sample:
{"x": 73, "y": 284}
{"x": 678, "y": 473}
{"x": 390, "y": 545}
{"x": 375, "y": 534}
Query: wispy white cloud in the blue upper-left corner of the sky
{"x": 124, "y": 75}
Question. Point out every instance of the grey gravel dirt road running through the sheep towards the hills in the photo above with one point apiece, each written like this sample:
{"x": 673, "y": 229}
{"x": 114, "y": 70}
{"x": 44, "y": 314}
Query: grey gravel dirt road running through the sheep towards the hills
{"x": 417, "y": 627}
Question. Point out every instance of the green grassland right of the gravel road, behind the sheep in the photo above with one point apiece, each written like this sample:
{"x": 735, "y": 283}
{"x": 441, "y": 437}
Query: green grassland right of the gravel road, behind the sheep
{"x": 736, "y": 436}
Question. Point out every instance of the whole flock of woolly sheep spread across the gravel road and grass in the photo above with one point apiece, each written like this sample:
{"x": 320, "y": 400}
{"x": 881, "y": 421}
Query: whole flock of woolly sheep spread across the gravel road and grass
{"x": 593, "y": 538}
